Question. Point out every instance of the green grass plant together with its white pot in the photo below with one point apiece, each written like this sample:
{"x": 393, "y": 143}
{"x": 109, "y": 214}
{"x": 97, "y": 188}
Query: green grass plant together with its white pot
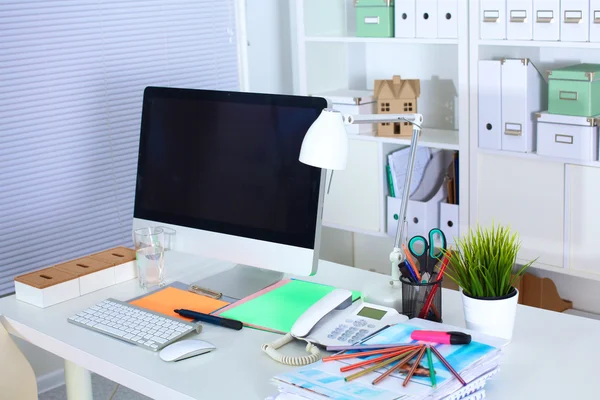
{"x": 482, "y": 265}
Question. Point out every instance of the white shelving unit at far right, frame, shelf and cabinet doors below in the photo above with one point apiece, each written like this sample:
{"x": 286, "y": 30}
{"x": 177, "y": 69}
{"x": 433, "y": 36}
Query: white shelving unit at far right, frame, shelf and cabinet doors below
{"x": 549, "y": 201}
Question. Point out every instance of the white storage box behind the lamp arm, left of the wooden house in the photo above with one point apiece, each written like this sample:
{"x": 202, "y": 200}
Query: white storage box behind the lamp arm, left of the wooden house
{"x": 352, "y": 102}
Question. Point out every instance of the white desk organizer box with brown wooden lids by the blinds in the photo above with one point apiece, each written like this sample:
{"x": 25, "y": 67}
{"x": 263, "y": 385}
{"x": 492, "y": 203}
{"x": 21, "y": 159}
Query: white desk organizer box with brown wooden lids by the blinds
{"x": 75, "y": 278}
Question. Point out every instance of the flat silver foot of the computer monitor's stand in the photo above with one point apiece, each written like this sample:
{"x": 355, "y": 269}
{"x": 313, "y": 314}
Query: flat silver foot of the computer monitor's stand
{"x": 240, "y": 281}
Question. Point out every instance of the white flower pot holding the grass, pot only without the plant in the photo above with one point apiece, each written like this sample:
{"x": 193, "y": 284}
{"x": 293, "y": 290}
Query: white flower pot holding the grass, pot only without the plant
{"x": 492, "y": 316}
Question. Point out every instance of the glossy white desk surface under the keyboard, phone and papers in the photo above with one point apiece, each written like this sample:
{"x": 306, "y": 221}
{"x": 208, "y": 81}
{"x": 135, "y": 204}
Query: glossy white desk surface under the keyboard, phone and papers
{"x": 548, "y": 358}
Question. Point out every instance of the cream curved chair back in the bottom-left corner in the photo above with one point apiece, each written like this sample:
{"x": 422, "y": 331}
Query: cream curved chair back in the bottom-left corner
{"x": 17, "y": 379}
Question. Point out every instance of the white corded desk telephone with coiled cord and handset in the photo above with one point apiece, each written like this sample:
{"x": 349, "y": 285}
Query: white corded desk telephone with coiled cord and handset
{"x": 334, "y": 320}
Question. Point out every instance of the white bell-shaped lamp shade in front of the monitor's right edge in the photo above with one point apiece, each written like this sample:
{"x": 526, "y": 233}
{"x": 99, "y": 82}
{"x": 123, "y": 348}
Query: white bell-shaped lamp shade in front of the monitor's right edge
{"x": 326, "y": 142}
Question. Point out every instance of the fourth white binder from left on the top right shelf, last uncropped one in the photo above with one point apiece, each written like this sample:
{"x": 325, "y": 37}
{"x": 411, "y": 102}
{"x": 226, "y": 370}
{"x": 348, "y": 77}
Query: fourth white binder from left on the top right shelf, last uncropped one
{"x": 574, "y": 20}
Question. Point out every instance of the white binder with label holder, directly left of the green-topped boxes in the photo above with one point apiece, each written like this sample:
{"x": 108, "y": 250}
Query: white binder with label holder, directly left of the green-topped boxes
{"x": 524, "y": 92}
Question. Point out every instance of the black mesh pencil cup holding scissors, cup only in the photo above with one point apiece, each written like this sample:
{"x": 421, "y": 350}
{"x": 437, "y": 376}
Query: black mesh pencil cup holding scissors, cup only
{"x": 422, "y": 300}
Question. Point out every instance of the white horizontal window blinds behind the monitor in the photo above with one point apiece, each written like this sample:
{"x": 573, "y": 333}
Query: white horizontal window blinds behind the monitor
{"x": 72, "y": 77}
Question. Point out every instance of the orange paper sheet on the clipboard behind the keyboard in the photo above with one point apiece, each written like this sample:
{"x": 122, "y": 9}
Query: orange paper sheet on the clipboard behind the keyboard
{"x": 168, "y": 299}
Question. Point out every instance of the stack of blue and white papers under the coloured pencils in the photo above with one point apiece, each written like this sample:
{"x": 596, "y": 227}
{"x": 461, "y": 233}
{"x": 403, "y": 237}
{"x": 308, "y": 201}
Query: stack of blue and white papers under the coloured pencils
{"x": 475, "y": 362}
